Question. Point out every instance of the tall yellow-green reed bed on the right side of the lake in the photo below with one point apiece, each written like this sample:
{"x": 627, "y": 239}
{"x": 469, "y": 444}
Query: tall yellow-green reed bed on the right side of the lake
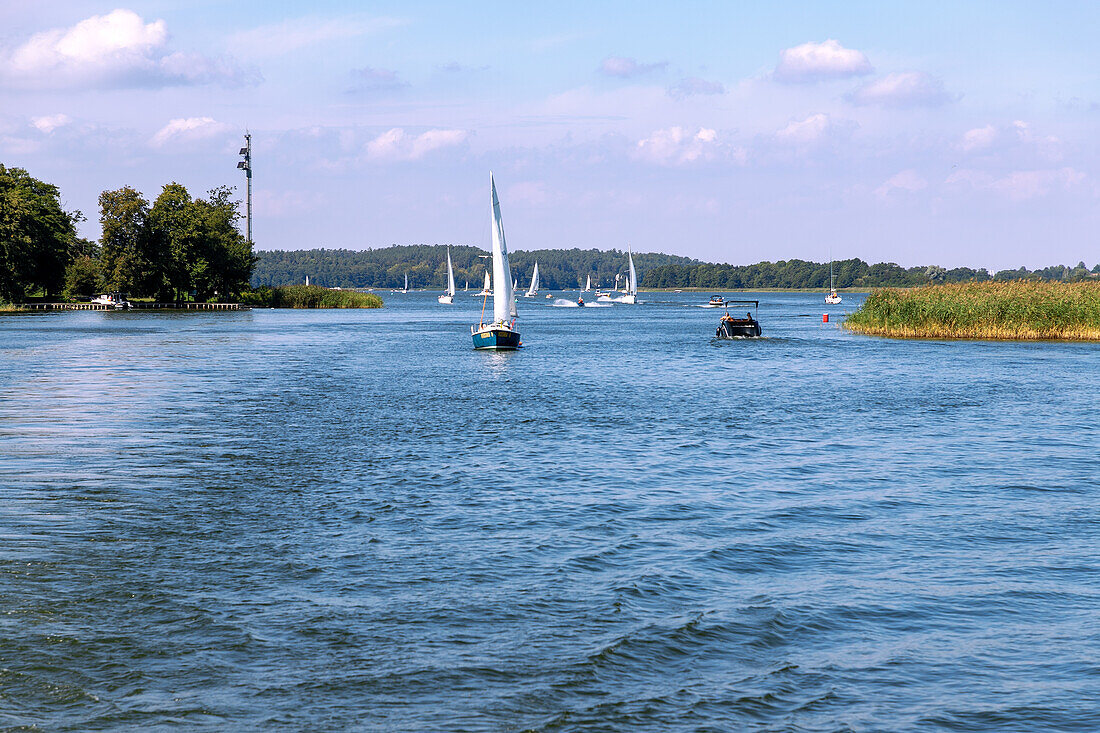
{"x": 1011, "y": 311}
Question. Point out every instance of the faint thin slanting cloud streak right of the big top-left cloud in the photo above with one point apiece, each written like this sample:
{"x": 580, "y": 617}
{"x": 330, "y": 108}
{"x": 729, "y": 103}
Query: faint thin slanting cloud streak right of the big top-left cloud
{"x": 290, "y": 36}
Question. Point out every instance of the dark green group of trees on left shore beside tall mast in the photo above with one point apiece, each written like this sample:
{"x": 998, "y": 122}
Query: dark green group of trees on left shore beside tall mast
{"x": 178, "y": 248}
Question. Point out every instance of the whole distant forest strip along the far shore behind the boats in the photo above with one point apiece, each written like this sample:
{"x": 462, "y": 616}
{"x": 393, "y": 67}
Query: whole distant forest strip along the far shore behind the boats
{"x": 426, "y": 266}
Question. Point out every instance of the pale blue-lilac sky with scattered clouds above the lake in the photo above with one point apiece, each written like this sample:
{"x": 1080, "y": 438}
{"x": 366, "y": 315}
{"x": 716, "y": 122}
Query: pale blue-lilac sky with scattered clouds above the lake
{"x": 961, "y": 135}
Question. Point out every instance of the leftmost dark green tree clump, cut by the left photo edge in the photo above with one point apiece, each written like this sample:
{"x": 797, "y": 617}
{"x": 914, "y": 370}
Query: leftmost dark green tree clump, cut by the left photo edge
{"x": 37, "y": 236}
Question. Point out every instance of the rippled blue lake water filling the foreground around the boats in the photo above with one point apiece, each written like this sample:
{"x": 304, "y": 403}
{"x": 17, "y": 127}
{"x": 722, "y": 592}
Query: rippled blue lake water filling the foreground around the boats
{"x": 353, "y": 521}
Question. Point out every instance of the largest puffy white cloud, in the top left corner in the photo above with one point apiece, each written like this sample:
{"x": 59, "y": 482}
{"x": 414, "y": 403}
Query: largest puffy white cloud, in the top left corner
{"x": 116, "y": 50}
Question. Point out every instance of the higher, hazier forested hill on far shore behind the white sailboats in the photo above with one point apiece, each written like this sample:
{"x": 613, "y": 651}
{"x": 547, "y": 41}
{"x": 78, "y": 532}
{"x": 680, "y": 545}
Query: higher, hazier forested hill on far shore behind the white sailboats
{"x": 426, "y": 266}
